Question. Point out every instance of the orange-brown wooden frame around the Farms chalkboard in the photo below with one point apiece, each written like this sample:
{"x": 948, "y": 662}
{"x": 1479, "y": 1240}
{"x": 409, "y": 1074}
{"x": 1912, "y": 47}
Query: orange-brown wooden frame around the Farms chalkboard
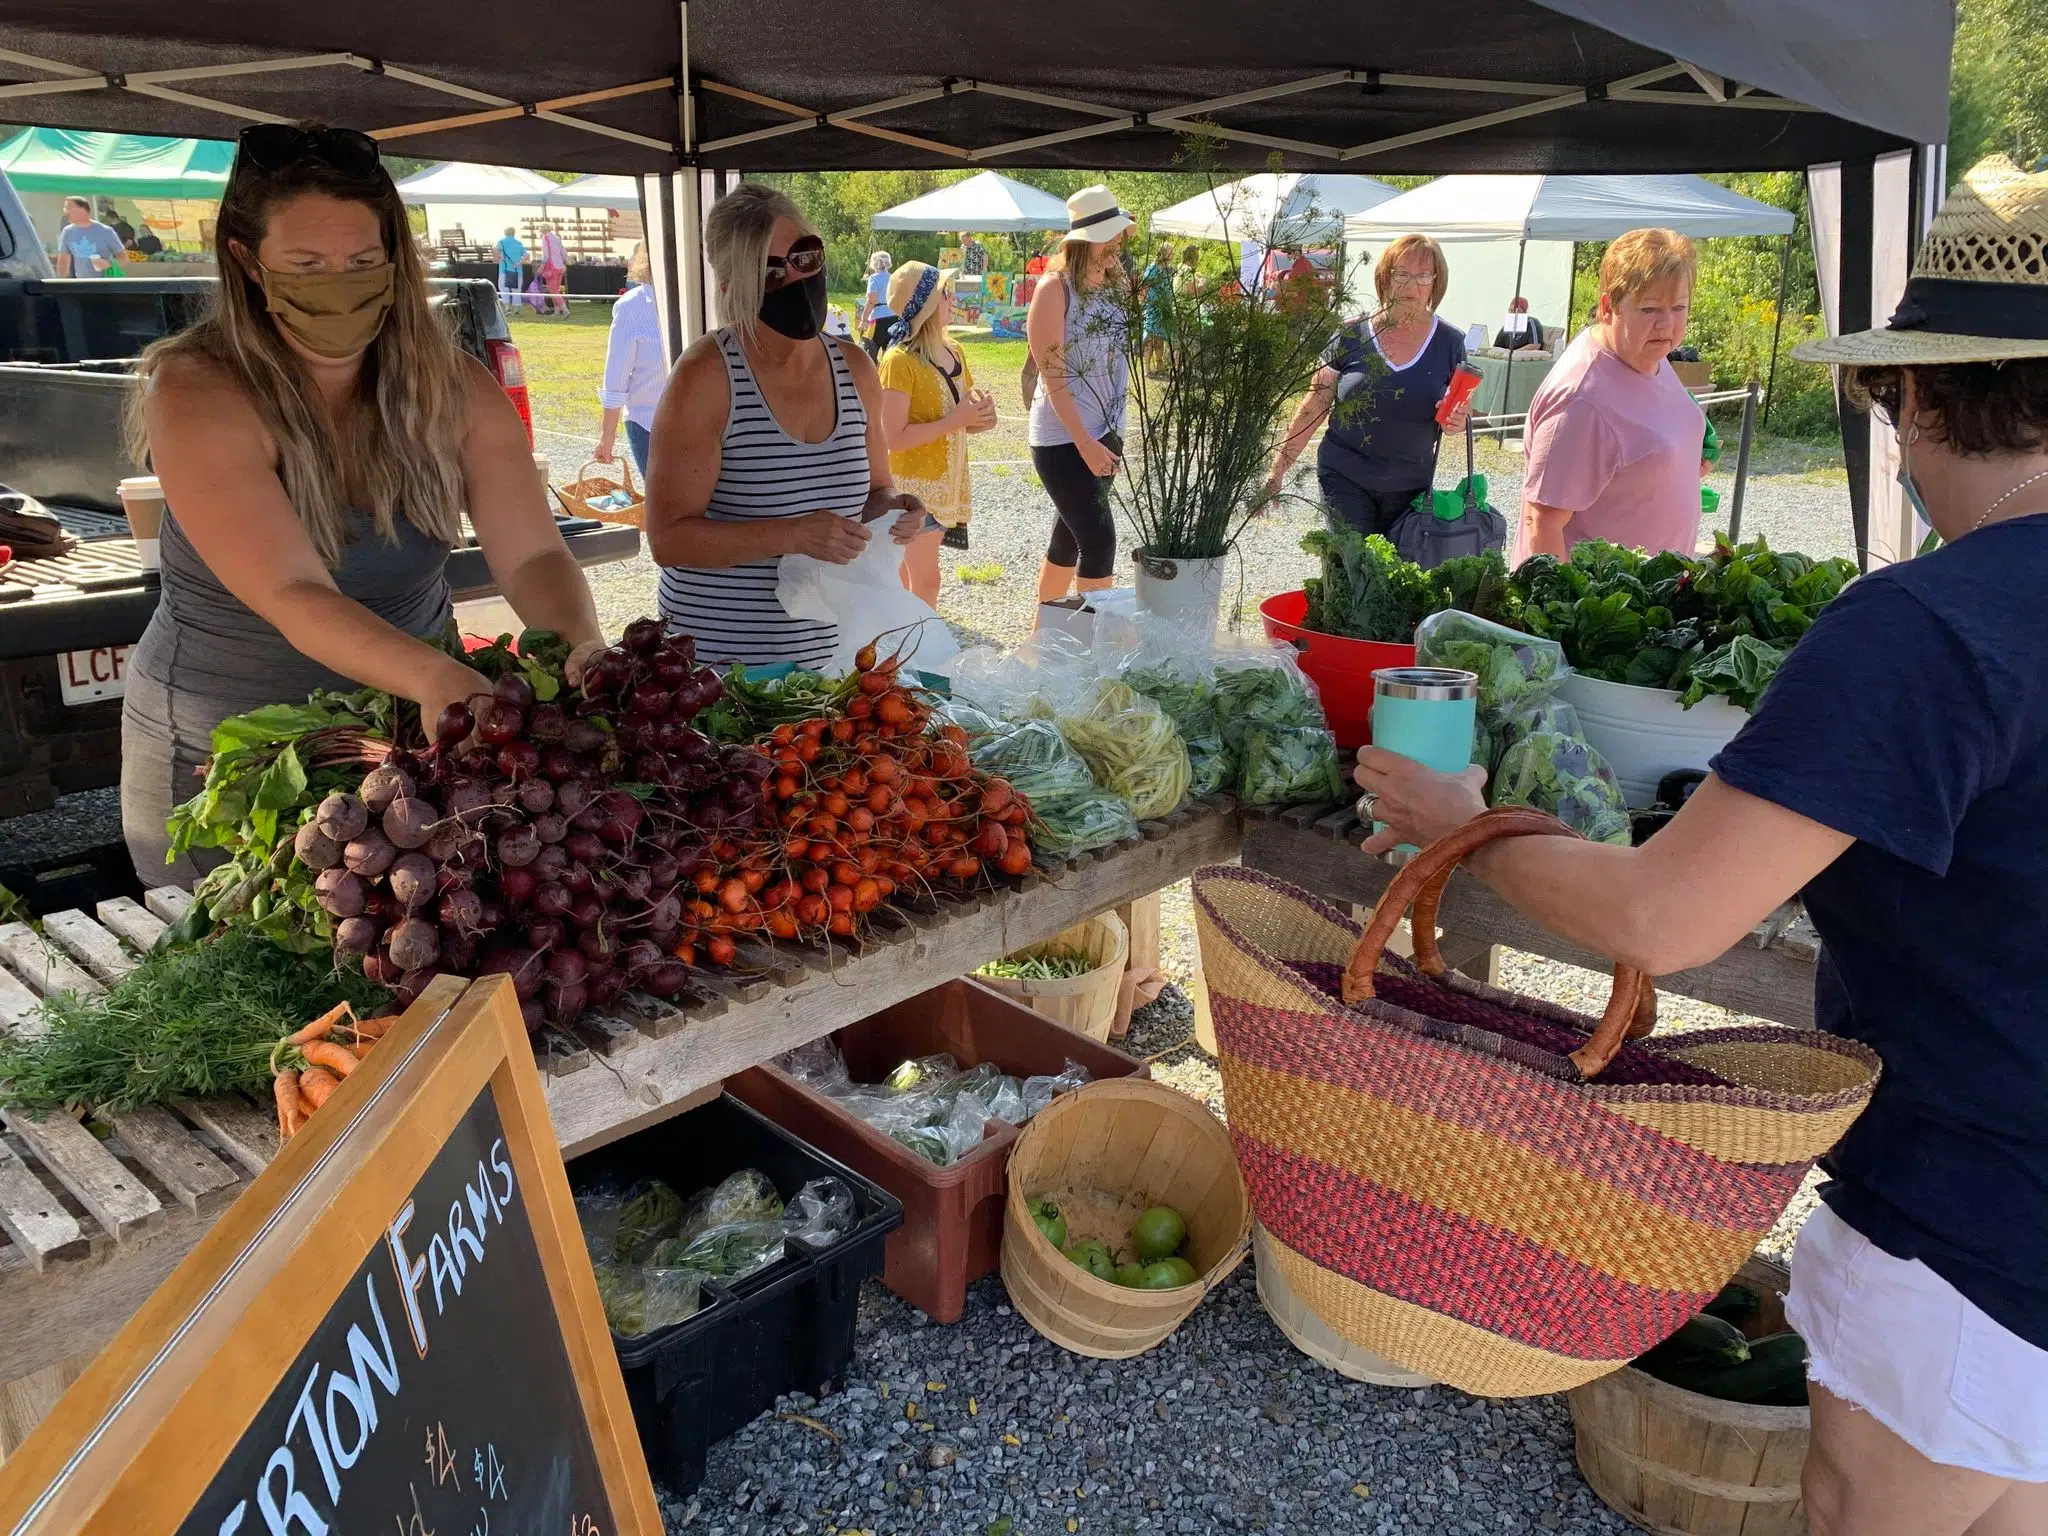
{"x": 138, "y": 1441}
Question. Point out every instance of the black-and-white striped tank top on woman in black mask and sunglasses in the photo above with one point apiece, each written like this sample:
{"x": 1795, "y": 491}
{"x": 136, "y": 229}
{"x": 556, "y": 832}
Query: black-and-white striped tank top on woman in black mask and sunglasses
{"x": 767, "y": 474}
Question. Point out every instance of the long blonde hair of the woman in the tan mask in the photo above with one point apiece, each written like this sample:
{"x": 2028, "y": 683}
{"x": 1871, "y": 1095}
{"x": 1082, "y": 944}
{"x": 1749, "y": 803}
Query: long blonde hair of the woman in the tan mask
{"x": 396, "y": 443}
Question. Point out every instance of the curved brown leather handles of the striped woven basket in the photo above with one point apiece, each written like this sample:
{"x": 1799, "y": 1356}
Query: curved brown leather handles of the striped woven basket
{"x": 1420, "y": 888}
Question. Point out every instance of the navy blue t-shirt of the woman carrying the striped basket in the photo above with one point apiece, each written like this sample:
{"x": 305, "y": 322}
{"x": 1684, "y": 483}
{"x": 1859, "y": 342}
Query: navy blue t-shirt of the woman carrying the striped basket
{"x": 1916, "y": 720}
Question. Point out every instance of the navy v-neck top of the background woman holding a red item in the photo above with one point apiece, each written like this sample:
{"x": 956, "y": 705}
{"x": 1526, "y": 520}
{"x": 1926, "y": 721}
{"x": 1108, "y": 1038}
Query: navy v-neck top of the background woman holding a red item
{"x": 1383, "y": 425}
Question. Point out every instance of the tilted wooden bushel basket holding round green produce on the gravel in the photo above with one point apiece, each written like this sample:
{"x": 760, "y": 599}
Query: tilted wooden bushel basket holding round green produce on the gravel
{"x": 1105, "y": 1154}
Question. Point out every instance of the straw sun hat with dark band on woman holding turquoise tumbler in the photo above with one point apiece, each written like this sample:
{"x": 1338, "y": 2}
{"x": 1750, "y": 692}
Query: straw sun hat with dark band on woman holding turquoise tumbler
{"x": 1979, "y": 290}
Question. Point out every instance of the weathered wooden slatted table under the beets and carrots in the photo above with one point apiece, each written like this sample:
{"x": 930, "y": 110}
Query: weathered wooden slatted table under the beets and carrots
{"x": 99, "y": 1209}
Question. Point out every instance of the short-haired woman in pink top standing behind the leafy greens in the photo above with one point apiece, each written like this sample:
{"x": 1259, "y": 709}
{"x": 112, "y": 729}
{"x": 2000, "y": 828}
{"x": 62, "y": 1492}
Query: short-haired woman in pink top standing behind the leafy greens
{"x": 1613, "y": 435}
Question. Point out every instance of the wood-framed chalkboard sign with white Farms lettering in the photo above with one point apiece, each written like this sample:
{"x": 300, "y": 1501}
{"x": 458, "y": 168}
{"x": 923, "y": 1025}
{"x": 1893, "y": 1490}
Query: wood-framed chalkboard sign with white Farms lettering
{"x": 450, "y": 1371}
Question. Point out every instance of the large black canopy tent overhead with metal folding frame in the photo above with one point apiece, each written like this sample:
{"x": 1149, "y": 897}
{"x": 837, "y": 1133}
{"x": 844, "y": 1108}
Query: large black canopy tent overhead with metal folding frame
{"x": 663, "y": 87}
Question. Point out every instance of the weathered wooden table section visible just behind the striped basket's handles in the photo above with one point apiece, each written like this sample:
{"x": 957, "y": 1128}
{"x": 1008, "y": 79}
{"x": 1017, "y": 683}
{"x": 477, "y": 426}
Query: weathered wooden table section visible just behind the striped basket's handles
{"x": 1316, "y": 849}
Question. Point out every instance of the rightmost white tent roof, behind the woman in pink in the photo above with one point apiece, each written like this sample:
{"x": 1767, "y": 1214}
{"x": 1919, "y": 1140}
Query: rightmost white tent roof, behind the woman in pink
{"x": 1566, "y": 208}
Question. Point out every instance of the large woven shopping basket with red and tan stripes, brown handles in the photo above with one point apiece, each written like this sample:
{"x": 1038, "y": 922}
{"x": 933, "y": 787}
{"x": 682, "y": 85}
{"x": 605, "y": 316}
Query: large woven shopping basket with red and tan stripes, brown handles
{"x": 1443, "y": 1183}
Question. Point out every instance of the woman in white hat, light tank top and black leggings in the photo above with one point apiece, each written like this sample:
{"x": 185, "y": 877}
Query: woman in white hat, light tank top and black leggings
{"x": 1076, "y": 333}
